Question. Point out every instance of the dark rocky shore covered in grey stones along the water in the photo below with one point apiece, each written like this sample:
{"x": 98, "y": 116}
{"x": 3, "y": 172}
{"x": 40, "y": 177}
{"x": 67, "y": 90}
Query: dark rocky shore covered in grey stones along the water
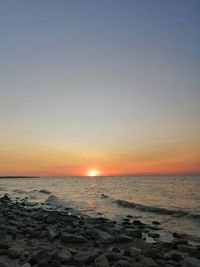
{"x": 32, "y": 236}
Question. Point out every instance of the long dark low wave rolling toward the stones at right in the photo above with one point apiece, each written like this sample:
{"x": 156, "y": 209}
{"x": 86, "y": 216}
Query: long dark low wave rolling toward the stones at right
{"x": 158, "y": 210}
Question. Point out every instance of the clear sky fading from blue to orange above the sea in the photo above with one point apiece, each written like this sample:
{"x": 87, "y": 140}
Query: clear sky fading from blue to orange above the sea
{"x": 110, "y": 85}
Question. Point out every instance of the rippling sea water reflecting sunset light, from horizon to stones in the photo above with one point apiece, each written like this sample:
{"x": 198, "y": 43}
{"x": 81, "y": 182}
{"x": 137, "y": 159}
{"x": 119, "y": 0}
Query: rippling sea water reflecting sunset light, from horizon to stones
{"x": 172, "y": 200}
